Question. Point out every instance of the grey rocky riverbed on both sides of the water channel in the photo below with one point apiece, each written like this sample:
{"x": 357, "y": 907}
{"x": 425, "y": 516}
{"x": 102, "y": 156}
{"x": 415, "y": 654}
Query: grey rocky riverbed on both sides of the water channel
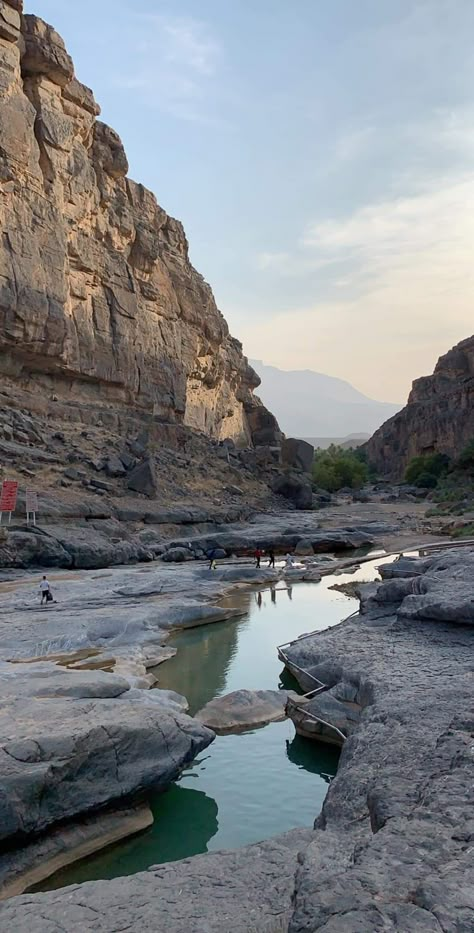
{"x": 82, "y": 735}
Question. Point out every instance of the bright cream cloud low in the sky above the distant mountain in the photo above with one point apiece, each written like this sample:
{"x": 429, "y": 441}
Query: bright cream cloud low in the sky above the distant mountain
{"x": 407, "y": 295}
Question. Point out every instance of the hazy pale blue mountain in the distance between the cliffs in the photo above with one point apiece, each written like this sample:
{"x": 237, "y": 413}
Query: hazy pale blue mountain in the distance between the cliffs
{"x": 313, "y": 405}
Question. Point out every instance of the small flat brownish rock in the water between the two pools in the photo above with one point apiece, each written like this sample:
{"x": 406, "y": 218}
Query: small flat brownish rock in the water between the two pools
{"x": 244, "y": 709}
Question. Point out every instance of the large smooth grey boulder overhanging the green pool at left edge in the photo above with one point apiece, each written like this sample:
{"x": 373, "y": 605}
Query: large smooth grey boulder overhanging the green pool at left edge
{"x": 60, "y": 757}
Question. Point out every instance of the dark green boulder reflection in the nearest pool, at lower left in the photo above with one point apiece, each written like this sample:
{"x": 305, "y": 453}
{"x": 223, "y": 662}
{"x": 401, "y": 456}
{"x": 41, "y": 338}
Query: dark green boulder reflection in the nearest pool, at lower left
{"x": 185, "y": 822}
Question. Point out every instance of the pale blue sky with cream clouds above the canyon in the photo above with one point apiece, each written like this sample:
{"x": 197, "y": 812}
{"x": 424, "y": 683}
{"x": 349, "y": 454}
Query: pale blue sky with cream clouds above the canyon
{"x": 320, "y": 155}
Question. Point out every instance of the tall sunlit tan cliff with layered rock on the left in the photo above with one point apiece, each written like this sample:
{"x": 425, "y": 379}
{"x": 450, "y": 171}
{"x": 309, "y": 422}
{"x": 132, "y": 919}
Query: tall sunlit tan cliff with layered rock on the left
{"x": 100, "y": 307}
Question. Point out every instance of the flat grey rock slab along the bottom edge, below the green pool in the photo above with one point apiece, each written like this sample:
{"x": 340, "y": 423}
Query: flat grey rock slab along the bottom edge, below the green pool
{"x": 245, "y": 891}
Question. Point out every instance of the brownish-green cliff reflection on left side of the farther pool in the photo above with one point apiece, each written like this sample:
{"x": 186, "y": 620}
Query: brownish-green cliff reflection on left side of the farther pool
{"x": 204, "y": 656}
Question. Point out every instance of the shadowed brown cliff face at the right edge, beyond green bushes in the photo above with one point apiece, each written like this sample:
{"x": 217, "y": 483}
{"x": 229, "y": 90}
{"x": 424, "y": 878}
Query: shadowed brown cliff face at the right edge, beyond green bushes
{"x": 439, "y": 415}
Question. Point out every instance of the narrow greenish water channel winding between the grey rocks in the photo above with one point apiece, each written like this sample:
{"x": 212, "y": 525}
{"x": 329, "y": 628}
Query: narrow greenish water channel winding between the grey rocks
{"x": 246, "y": 787}
